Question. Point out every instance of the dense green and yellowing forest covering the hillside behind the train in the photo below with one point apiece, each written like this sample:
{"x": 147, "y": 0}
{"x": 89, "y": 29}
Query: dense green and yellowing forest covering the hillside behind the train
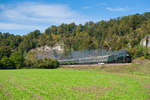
{"x": 115, "y": 34}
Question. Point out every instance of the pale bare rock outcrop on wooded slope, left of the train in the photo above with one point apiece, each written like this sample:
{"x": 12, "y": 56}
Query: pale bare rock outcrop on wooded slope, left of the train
{"x": 54, "y": 52}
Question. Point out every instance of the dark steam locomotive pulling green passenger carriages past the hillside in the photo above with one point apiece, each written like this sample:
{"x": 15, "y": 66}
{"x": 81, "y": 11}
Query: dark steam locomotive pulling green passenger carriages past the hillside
{"x": 114, "y": 57}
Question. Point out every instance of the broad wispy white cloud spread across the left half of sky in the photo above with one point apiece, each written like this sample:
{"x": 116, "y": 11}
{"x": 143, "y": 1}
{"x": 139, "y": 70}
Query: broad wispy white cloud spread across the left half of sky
{"x": 27, "y": 16}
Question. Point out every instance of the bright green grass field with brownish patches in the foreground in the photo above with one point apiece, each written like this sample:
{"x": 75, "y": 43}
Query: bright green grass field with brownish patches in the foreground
{"x": 101, "y": 83}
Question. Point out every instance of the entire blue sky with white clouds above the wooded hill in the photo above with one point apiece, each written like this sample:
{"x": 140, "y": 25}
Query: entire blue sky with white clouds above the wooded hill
{"x": 24, "y": 16}
